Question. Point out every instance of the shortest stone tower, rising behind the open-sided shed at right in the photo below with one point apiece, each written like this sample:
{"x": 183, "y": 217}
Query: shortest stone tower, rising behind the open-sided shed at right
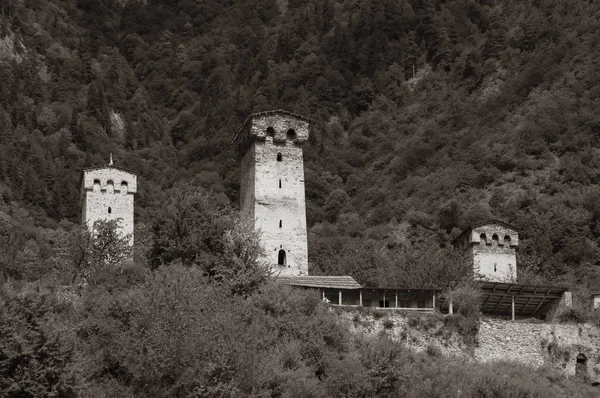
{"x": 493, "y": 247}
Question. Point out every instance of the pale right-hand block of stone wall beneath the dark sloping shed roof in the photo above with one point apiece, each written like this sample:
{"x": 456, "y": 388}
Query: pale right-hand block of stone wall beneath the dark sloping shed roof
{"x": 538, "y": 344}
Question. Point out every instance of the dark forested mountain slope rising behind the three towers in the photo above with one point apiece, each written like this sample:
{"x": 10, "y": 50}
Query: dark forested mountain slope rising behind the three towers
{"x": 428, "y": 116}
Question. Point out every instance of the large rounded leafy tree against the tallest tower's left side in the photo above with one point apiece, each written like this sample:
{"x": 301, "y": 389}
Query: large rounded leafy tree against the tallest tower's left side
{"x": 195, "y": 228}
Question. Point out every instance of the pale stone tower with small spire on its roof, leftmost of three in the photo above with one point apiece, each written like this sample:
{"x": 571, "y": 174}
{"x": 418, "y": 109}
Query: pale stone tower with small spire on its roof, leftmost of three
{"x": 108, "y": 195}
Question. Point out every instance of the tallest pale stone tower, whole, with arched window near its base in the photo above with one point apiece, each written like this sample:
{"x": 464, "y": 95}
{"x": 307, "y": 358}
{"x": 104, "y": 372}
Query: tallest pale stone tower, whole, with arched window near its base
{"x": 272, "y": 186}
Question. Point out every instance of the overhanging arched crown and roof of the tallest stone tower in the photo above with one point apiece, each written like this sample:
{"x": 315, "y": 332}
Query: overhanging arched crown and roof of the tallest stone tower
{"x": 276, "y": 126}
